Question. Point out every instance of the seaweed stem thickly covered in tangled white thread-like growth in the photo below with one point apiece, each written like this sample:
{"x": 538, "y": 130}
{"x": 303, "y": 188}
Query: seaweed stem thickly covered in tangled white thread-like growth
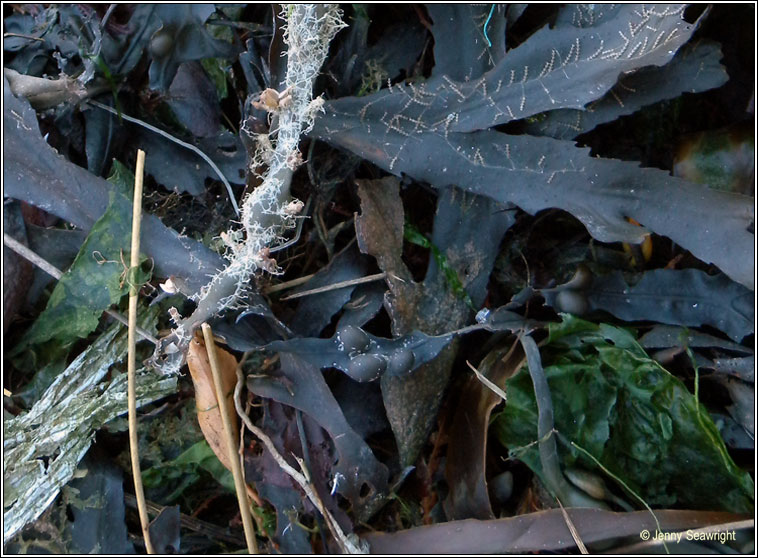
{"x": 266, "y": 213}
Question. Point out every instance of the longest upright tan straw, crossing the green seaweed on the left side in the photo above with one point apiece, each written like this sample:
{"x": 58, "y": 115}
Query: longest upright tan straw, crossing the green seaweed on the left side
{"x": 132, "y": 357}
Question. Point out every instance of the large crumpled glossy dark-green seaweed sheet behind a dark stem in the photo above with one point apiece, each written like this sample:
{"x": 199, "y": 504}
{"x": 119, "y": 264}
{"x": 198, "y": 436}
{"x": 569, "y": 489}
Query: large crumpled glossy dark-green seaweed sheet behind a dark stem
{"x": 638, "y": 420}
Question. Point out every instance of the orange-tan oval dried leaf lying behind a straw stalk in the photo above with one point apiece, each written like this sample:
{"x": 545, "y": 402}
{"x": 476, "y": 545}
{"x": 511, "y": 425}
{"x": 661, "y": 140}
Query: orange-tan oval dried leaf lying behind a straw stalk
{"x": 208, "y": 412}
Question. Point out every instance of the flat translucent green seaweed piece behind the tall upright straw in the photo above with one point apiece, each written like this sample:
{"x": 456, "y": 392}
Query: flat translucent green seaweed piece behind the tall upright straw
{"x": 95, "y": 280}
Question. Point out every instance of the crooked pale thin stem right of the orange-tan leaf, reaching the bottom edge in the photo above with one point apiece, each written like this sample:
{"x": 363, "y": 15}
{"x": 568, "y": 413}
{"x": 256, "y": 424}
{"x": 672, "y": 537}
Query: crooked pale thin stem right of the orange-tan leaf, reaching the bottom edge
{"x": 301, "y": 477}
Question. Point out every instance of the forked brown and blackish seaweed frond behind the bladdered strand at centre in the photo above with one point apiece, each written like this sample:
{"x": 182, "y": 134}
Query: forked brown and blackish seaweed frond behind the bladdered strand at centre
{"x": 467, "y": 232}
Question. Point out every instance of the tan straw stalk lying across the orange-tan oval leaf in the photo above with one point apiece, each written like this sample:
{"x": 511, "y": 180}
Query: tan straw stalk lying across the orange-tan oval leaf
{"x": 239, "y": 483}
